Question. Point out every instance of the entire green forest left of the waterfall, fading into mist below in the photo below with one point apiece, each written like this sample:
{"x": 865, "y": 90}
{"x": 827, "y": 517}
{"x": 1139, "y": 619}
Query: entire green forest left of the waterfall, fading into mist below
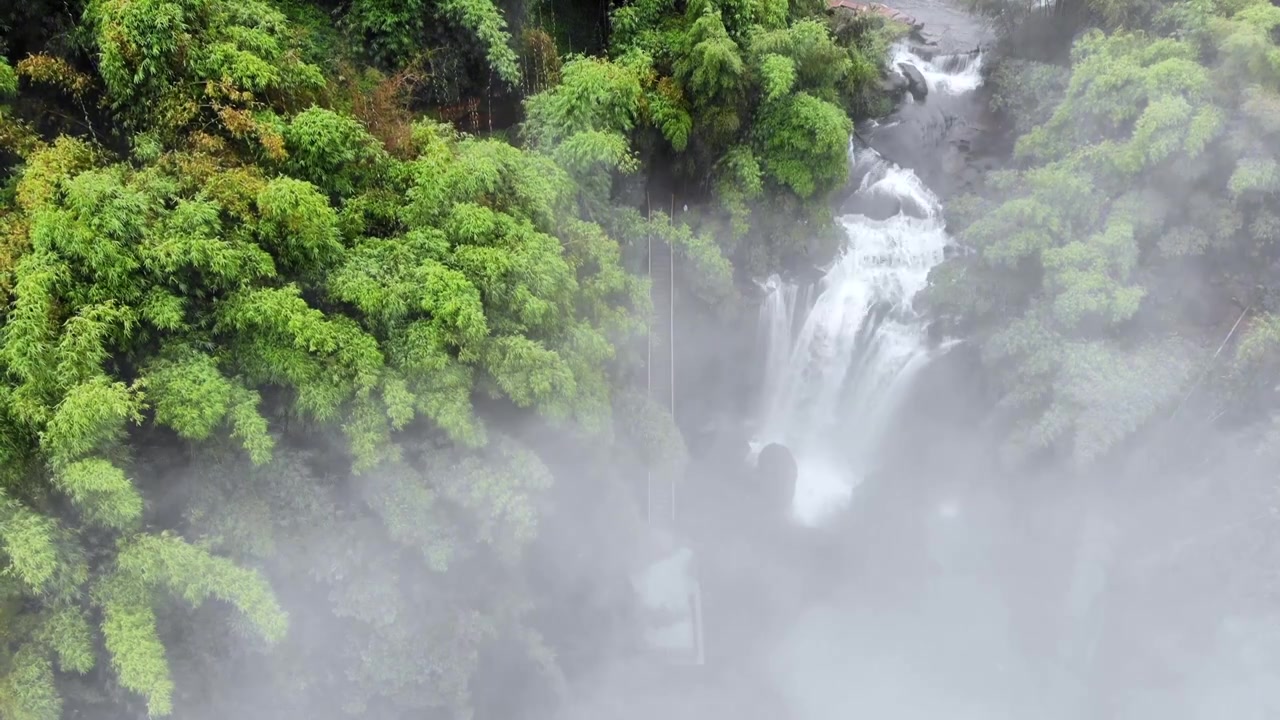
{"x": 276, "y": 339}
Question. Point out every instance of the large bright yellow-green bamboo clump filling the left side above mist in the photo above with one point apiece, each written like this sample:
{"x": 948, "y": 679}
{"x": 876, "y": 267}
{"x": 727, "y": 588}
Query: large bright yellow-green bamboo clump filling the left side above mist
{"x": 163, "y": 299}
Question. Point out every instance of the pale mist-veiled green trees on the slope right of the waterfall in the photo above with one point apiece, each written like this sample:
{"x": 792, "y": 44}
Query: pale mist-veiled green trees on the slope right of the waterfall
{"x": 1148, "y": 174}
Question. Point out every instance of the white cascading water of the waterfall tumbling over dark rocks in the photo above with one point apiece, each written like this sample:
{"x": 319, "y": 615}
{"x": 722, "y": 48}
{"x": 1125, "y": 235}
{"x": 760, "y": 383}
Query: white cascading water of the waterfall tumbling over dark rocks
{"x": 836, "y": 371}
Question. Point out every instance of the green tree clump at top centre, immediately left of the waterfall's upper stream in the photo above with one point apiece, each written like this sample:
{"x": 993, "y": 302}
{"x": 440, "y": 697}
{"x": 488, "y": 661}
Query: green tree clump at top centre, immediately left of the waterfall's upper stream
{"x": 749, "y": 103}
